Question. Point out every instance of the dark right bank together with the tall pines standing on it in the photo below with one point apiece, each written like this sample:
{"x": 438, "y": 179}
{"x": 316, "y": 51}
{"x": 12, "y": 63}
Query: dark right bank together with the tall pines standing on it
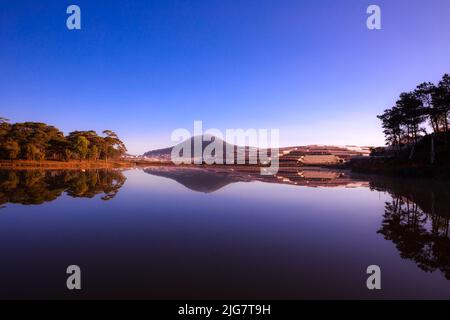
{"x": 412, "y": 150}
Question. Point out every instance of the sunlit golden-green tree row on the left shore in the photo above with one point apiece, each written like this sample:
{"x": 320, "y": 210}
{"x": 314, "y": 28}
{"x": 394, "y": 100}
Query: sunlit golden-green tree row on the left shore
{"x": 39, "y": 141}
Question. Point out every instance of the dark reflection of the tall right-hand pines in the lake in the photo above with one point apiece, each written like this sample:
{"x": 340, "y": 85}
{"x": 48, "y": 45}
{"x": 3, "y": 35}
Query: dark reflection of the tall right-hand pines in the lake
{"x": 419, "y": 227}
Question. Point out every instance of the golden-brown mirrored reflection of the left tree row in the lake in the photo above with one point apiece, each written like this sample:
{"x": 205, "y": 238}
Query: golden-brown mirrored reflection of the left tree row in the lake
{"x": 37, "y": 186}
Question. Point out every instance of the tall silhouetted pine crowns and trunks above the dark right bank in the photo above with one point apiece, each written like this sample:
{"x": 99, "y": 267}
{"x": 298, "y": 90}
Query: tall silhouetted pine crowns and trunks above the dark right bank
{"x": 403, "y": 124}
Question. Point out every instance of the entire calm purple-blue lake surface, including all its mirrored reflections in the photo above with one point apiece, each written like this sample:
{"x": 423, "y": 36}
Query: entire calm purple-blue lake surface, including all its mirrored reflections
{"x": 189, "y": 233}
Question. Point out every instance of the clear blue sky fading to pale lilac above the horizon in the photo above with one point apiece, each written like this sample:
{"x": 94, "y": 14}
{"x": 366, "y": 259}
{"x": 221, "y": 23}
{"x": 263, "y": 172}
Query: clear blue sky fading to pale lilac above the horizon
{"x": 144, "y": 68}
